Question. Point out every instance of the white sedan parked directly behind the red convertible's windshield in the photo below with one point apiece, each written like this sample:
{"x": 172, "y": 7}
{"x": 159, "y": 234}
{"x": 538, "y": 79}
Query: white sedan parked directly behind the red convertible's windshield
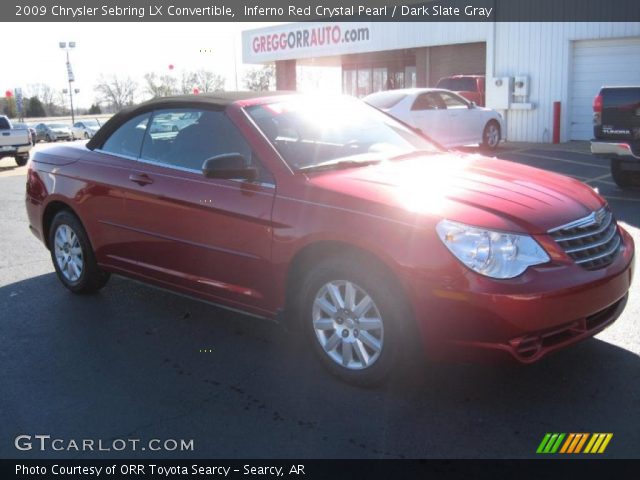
{"x": 442, "y": 115}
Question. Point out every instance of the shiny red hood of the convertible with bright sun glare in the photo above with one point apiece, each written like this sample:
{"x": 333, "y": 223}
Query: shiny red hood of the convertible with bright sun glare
{"x": 470, "y": 189}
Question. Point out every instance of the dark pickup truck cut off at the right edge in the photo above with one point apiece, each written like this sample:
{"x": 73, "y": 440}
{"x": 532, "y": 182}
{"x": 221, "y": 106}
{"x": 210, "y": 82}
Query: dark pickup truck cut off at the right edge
{"x": 616, "y": 128}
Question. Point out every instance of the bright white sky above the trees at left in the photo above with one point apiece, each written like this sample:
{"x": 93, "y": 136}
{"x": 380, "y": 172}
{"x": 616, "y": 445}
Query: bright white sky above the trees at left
{"x": 126, "y": 49}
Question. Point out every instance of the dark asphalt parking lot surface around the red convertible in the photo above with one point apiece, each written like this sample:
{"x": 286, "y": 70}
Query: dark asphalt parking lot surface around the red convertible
{"x": 135, "y": 362}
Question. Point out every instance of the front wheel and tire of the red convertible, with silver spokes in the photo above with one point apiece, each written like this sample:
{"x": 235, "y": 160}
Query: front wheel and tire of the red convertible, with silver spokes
{"x": 358, "y": 355}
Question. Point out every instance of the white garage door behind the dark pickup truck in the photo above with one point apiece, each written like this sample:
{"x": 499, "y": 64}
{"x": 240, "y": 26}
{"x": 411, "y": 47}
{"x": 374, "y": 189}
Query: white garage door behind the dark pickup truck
{"x": 597, "y": 63}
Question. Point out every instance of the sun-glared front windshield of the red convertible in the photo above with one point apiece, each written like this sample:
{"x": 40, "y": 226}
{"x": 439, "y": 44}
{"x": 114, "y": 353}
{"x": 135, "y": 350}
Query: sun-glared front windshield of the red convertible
{"x": 310, "y": 132}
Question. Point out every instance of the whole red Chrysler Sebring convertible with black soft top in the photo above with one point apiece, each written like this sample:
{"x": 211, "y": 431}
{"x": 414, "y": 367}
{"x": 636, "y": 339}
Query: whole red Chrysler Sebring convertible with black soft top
{"x": 341, "y": 220}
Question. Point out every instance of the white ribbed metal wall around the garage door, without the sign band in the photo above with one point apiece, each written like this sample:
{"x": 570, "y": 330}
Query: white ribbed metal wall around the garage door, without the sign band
{"x": 543, "y": 51}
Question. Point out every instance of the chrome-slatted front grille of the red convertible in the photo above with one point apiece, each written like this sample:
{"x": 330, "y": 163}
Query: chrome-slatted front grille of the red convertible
{"x": 592, "y": 242}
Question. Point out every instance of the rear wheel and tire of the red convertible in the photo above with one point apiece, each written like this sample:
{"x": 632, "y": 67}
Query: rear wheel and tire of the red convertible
{"x": 72, "y": 255}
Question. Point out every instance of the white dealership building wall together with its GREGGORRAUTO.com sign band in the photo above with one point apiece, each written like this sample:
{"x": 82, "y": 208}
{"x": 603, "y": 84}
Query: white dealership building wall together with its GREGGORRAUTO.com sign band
{"x": 543, "y": 51}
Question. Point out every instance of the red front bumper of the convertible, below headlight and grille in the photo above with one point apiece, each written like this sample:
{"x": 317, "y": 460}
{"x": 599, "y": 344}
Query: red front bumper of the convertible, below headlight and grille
{"x": 544, "y": 310}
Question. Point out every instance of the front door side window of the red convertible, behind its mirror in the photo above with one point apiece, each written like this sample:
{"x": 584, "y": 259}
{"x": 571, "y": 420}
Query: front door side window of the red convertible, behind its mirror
{"x": 185, "y": 138}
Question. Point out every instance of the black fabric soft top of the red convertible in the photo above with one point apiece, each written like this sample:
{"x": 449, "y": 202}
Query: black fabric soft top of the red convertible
{"x": 216, "y": 101}
